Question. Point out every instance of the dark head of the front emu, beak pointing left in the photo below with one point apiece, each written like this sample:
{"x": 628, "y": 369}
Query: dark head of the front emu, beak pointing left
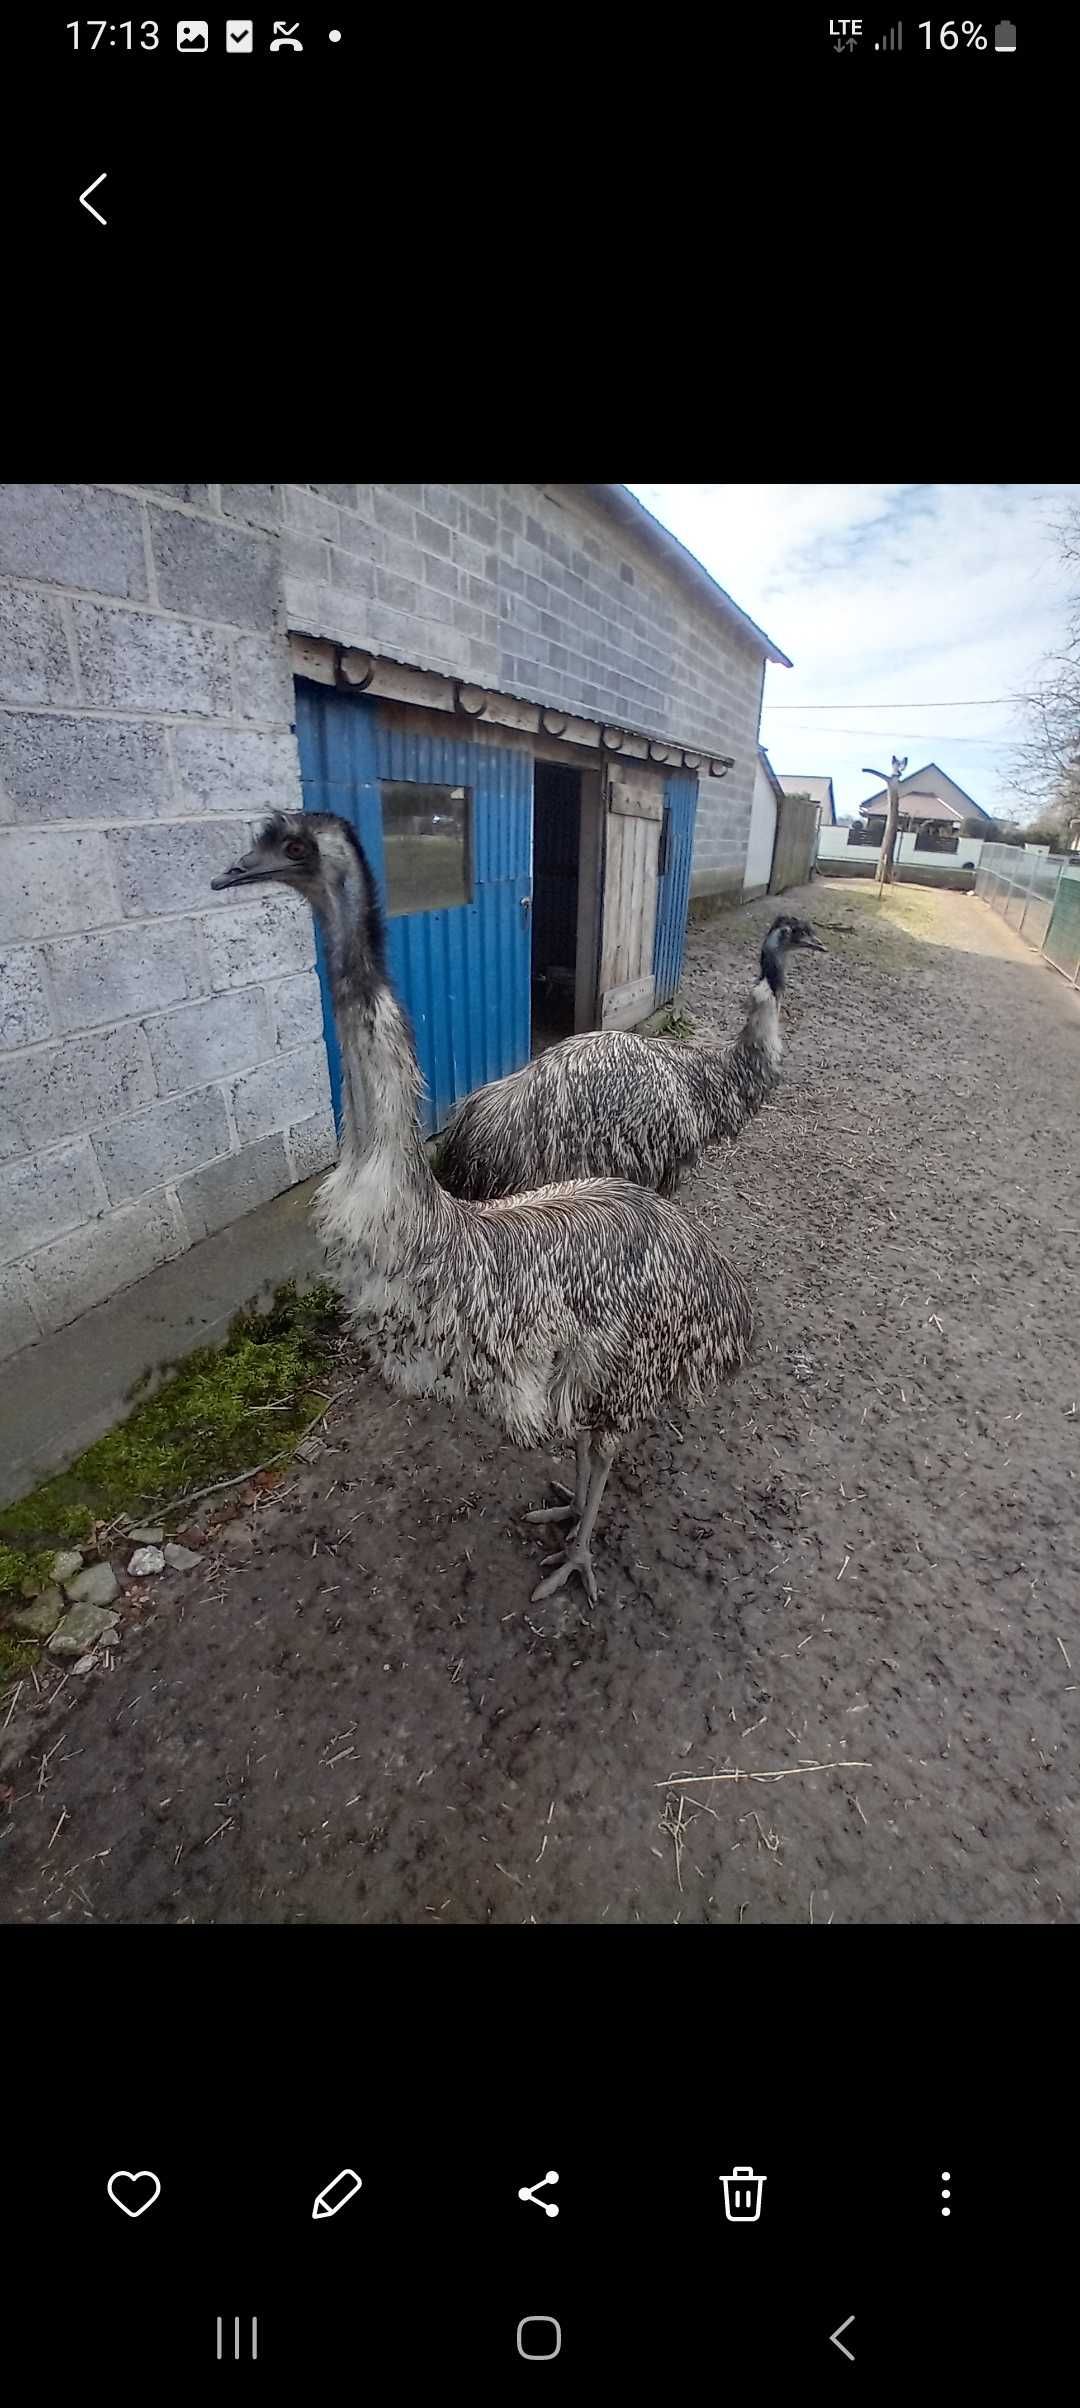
{"x": 324, "y": 861}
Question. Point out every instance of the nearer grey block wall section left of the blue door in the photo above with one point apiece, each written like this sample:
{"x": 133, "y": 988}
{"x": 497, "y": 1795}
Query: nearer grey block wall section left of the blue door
{"x": 162, "y": 1061}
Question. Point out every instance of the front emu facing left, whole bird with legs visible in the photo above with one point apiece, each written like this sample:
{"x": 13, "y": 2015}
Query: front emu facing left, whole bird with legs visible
{"x": 569, "y": 1314}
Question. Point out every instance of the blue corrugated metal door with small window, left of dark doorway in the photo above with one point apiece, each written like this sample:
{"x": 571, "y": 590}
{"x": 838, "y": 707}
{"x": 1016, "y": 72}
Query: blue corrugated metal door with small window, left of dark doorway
{"x": 463, "y": 972}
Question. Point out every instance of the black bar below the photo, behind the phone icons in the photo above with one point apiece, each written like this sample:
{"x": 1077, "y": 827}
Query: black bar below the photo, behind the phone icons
{"x": 451, "y": 2070}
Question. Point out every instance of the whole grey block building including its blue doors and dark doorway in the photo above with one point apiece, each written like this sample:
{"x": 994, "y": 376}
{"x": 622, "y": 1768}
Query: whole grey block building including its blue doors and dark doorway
{"x": 540, "y": 714}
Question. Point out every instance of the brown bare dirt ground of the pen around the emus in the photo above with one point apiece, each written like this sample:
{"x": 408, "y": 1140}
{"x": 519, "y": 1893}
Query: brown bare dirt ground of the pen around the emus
{"x": 865, "y": 1559}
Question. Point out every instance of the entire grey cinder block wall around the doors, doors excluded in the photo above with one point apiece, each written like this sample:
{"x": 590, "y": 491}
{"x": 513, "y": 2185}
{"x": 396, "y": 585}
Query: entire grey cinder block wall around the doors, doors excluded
{"x": 162, "y": 1058}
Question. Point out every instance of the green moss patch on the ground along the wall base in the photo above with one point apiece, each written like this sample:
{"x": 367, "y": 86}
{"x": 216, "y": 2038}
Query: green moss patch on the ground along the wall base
{"x": 222, "y": 1410}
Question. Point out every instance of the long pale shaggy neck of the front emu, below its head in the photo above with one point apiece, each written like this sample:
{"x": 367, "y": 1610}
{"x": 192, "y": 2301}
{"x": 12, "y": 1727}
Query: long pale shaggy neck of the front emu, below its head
{"x": 381, "y": 1082}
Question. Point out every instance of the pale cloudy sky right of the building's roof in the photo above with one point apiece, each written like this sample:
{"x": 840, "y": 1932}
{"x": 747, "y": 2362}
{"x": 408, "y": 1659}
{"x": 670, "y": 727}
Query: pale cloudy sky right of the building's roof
{"x": 932, "y": 601}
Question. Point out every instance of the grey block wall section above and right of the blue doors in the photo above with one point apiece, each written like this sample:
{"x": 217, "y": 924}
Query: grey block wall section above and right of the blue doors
{"x": 538, "y": 591}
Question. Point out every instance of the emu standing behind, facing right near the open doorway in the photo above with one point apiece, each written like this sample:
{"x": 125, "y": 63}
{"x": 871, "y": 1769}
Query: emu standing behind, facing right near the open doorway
{"x": 612, "y": 1104}
